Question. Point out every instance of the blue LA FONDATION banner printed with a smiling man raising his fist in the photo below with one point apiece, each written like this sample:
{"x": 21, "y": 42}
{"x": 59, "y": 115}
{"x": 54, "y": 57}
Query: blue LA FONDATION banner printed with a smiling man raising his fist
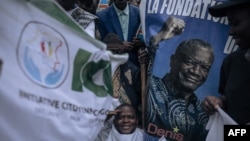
{"x": 168, "y": 114}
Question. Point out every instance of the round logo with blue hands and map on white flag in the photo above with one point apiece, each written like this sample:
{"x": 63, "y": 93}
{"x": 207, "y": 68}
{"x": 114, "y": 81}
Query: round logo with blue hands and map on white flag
{"x": 43, "y": 54}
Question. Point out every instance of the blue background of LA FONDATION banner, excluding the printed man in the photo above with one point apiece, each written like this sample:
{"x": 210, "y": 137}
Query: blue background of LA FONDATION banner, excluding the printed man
{"x": 198, "y": 24}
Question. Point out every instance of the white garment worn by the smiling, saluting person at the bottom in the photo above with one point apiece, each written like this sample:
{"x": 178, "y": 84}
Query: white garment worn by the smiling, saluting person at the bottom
{"x": 114, "y": 135}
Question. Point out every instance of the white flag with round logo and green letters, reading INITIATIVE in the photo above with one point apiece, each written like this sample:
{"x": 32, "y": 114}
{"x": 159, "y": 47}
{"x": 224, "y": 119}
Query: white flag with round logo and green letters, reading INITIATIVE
{"x": 55, "y": 80}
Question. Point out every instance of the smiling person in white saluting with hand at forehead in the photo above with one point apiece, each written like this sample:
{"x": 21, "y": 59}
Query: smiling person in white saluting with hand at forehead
{"x": 124, "y": 125}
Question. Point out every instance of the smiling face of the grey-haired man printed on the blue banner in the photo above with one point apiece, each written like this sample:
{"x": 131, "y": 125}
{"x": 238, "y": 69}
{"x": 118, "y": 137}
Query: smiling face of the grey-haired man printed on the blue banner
{"x": 191, "y": 67}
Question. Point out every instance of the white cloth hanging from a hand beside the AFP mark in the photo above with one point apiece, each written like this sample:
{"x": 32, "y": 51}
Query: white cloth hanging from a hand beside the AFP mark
{"x": 216, "y": 124}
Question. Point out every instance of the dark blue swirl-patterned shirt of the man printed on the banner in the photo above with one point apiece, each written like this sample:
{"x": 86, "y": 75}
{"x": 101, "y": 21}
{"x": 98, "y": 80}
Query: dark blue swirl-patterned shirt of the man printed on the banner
{"x": 168, "y": 114}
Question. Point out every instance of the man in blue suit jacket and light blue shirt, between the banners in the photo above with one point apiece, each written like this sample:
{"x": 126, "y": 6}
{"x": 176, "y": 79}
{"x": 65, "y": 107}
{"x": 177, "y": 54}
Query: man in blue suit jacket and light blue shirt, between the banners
{"x": 122, "y": 19}
